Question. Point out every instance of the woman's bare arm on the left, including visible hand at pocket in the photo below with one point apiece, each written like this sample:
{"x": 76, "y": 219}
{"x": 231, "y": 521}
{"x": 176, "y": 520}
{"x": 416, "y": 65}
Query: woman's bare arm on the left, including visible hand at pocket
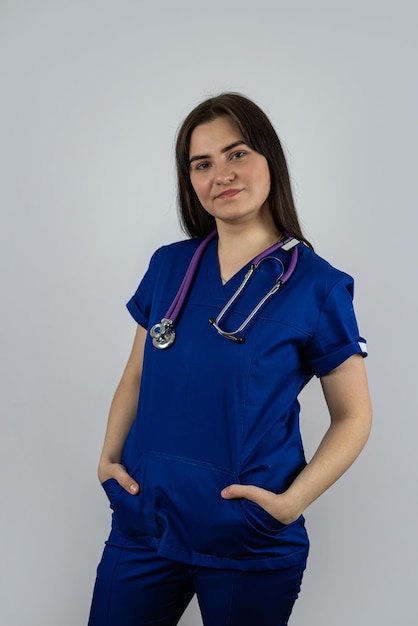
{"x": 121, "y": 415}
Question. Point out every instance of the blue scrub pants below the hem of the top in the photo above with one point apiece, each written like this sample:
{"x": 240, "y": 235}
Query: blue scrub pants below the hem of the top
{"x": 136, "y": 587}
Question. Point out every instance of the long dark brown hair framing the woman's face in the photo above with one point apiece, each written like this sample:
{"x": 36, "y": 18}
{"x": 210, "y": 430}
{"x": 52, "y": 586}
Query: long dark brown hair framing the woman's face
{"x": 259, "y": 135}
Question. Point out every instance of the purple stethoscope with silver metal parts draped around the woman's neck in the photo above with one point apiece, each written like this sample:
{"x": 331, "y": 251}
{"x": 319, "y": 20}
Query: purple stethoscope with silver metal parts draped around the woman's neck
{"x": 163, "y": 334}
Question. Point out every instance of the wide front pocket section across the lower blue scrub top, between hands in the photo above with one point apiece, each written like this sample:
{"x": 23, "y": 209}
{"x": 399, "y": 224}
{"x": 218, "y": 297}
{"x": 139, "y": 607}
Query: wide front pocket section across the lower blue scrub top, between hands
{"x": 180, "y": 503}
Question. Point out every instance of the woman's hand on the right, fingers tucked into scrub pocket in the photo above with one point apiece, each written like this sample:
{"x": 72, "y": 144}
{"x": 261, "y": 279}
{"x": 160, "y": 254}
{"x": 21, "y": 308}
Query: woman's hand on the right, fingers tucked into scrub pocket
{"x": 278, "y": 505}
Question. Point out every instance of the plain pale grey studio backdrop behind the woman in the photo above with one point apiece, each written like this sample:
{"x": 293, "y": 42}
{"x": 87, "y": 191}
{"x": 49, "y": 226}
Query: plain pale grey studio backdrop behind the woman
{"x": 92, "y": 92}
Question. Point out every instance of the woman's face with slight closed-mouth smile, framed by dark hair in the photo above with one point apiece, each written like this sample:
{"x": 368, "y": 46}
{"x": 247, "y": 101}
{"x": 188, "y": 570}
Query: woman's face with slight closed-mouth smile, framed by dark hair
{"x": 231, "y": 180}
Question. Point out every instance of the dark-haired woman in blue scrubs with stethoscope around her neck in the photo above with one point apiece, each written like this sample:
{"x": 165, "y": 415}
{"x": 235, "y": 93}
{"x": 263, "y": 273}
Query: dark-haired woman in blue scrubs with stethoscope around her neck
{"x": 206, "y": 472}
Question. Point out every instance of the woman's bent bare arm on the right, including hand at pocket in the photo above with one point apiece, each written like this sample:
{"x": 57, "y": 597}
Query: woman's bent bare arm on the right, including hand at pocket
{"x": 347, "y": 396}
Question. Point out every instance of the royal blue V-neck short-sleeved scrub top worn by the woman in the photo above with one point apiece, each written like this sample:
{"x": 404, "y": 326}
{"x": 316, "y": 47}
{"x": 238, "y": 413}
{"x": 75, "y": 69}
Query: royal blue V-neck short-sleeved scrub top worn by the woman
{"x": 213, "y": 412}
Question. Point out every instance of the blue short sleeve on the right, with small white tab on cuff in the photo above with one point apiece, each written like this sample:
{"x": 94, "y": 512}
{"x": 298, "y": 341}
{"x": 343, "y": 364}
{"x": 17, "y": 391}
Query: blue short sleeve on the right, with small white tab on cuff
{"x": 336, "y": 336}
